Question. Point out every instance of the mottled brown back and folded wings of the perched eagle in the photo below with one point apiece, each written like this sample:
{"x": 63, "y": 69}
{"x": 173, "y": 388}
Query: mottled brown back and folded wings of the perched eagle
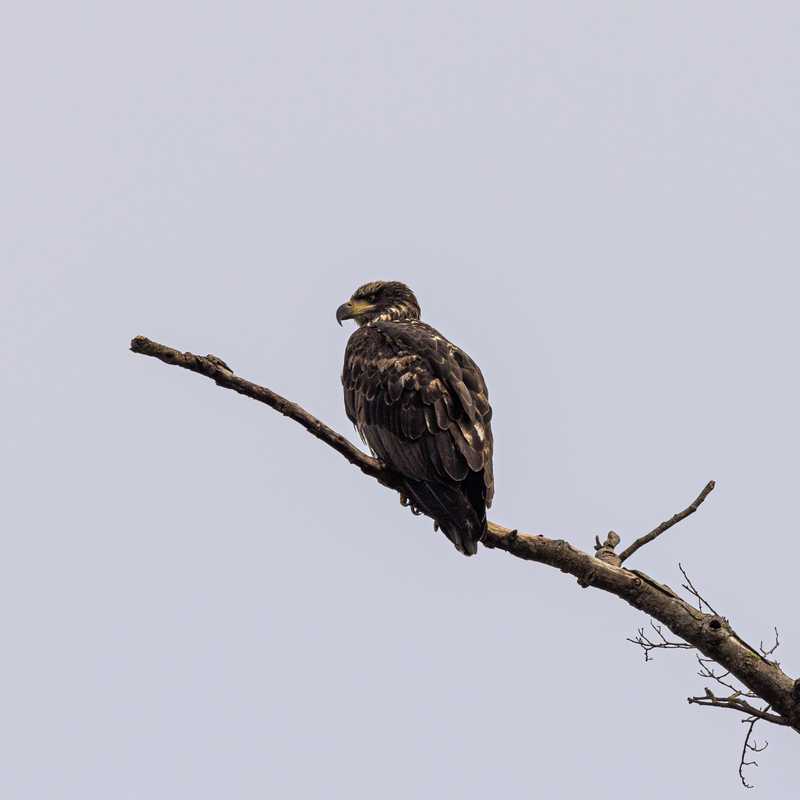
{"x": 419, "y": 402}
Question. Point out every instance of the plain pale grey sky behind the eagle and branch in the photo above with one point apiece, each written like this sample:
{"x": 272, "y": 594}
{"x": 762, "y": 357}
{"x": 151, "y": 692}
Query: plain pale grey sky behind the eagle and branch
{"x": 598, "y": 201}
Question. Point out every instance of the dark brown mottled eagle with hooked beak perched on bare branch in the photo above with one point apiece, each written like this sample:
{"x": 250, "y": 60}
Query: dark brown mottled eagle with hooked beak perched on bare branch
{"x": 421, "y": 405}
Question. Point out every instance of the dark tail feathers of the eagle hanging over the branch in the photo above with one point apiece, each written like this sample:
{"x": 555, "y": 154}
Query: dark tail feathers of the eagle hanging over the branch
{"x": 451, "y": 509}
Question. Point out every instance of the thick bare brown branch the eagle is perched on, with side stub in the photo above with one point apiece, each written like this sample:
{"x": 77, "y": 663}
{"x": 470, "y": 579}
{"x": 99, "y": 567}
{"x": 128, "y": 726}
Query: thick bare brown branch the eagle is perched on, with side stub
{"x": 711, "y": 634}
